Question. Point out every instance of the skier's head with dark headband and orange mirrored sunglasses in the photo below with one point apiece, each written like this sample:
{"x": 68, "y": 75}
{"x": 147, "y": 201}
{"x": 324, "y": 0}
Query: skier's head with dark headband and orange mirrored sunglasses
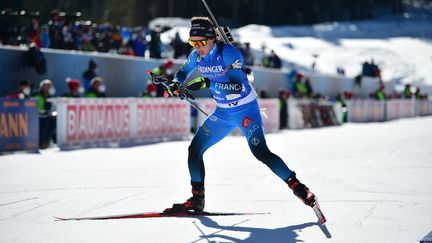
{"x": 202, "y": 35}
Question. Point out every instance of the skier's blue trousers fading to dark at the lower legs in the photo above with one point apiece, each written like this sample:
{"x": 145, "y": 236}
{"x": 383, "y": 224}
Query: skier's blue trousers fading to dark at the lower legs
{"x": 219, "y": 124}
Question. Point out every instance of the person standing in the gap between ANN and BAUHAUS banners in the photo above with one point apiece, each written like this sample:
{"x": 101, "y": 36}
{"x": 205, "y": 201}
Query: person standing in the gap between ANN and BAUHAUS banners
{"x": 47, "y": 120}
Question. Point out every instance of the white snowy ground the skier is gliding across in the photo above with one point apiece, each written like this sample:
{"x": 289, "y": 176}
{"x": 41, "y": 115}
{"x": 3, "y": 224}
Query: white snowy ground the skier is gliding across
{"x": 373, "y": 181}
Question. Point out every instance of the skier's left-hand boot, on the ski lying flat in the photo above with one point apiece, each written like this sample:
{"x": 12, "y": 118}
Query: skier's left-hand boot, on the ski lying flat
{"x": 194, "y": 205}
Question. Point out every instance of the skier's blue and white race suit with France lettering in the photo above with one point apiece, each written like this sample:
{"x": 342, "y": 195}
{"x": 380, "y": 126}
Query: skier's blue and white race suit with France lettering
{"x": 237, "y": 107}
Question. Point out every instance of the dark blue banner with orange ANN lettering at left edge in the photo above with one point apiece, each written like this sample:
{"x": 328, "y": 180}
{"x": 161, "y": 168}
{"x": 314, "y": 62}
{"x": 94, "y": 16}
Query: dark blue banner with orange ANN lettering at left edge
{"x": 19, "y": 125}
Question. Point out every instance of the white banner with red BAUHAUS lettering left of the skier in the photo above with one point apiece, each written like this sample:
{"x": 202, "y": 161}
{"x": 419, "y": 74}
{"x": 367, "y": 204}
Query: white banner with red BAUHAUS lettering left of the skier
{"x": 105, "y": 122}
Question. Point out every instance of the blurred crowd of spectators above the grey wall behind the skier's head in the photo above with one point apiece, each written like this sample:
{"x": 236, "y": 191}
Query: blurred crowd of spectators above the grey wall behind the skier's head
{"x": 67, "y": 31}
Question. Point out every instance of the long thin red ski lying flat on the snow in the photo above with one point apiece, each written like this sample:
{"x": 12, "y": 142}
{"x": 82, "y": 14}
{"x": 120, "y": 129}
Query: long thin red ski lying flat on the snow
{"x": 155, "y": 215}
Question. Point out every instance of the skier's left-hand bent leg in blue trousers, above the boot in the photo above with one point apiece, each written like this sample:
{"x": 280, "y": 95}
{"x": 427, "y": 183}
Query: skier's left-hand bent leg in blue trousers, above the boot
{"x": 214, "y": 128}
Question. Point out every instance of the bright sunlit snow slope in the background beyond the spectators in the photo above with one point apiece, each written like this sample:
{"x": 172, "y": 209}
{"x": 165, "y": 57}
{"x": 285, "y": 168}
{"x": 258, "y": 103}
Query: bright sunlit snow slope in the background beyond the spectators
{"x": 401, "y": 47}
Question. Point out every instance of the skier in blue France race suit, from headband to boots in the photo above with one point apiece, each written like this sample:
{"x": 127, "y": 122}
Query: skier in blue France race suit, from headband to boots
{"x": 223, "y": 72}
